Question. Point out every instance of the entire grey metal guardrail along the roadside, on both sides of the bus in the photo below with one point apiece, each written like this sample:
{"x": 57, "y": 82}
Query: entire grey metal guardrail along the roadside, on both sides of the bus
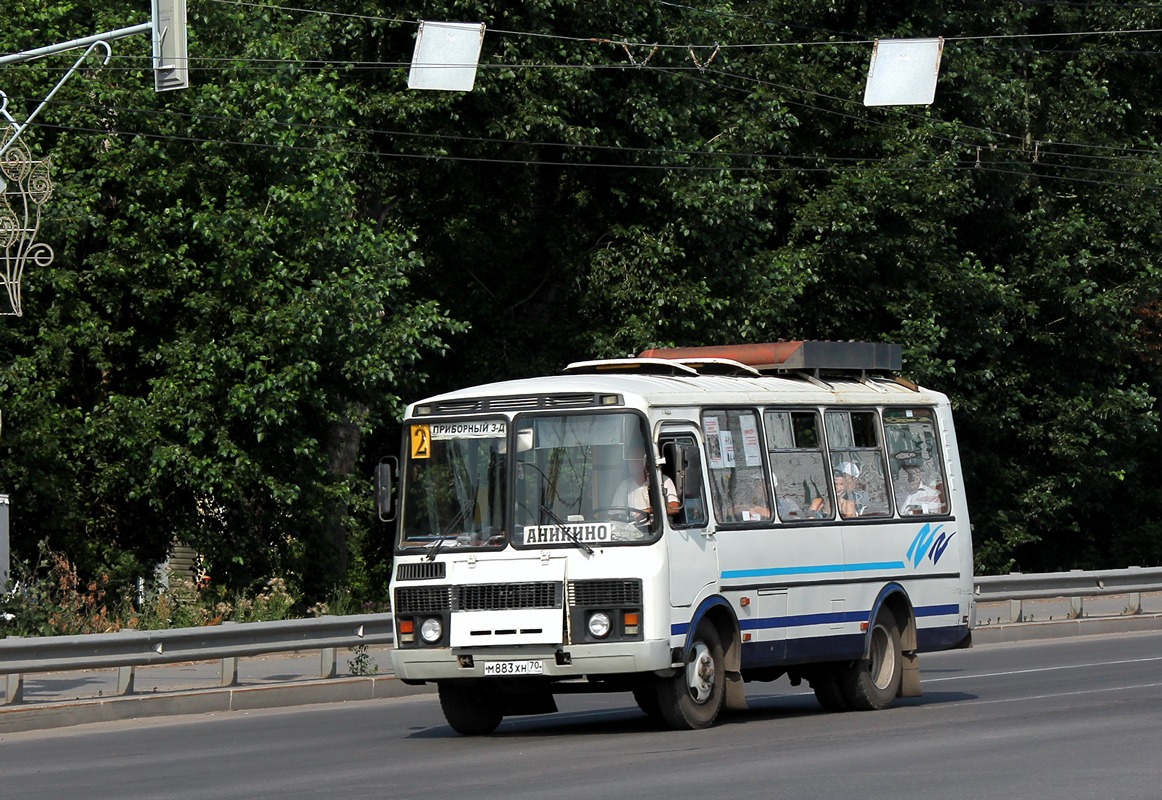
{"x": 131, "y": 649}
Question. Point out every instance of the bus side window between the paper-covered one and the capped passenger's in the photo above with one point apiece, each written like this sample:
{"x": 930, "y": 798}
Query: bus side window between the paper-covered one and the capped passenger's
{"x": 798, "y": 466}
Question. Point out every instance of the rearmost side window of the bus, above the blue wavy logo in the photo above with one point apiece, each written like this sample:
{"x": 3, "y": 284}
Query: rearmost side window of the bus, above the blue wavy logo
{"x": 914, "y": 458}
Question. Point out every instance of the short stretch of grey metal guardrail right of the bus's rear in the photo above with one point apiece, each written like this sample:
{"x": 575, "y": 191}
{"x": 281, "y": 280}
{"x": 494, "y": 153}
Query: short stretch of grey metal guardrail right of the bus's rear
{"x": 1077, "y": 585}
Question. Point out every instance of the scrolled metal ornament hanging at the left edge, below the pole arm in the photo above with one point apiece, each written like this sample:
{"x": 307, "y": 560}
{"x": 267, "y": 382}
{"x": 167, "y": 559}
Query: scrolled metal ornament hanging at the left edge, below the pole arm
{"x": 25, "y": 188}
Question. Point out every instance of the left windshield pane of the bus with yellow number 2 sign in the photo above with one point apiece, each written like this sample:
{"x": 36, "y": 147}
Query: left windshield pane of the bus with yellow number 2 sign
{"x": 455, "y": 485}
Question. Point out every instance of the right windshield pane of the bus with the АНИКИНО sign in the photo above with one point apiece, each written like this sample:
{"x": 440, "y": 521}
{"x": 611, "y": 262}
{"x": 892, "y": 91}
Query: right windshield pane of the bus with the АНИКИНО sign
{"x": 583, "y": 481}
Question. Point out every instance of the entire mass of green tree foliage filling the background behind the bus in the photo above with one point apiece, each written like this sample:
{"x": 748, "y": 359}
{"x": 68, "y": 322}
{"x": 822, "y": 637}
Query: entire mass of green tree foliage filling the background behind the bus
{"x": 254, "y": 275}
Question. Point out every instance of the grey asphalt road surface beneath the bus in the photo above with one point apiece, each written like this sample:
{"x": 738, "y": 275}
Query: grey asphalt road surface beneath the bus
{"x": 1063, "y": 720}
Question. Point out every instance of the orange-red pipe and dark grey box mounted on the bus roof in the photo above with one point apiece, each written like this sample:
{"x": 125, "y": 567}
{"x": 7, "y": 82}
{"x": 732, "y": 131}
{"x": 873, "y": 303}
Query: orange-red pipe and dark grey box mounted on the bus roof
{"x": 792, "y": 356}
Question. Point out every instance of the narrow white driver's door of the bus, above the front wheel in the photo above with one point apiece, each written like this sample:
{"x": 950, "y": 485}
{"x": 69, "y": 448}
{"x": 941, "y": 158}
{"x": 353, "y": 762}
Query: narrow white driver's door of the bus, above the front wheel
{"x": 691, "y": 547}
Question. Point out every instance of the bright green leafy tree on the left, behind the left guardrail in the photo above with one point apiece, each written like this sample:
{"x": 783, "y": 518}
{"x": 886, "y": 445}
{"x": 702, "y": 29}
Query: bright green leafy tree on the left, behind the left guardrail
{"x": 223, "y": 325}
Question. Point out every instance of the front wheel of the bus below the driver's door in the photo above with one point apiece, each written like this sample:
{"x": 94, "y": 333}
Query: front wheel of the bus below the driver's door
{"x": 693, "y": 698}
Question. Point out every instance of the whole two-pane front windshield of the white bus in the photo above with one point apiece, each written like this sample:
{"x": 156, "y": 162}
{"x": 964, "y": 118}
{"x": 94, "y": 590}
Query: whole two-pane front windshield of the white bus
{"x": 578, "y": 481}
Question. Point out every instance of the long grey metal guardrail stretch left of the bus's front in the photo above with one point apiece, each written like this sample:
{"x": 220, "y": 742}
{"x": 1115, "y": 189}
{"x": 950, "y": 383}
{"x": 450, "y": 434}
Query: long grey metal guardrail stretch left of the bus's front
{"x": 130, "y": 649}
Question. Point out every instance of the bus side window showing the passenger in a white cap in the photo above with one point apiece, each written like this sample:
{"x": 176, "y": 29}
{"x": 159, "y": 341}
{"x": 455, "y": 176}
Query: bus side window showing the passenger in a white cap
{"x": 858, "y": 465}
